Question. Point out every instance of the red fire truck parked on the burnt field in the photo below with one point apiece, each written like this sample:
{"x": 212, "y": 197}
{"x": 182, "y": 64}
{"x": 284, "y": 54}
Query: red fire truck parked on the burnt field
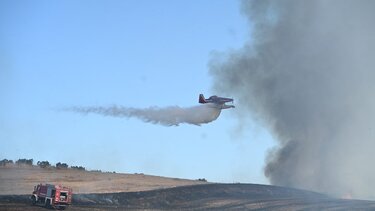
{"x": 56, "y": 196}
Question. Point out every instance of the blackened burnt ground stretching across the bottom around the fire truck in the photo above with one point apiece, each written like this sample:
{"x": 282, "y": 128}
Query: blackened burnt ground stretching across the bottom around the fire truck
{"x": 202, "y": 197}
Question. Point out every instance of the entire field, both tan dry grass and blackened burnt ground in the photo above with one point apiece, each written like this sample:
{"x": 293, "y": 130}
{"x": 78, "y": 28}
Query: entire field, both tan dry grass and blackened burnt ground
{"x": 112, "y": 191}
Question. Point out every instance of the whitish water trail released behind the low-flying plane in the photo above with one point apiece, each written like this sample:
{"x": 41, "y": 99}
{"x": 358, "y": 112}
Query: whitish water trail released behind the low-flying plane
{"x": 168, "y": 116}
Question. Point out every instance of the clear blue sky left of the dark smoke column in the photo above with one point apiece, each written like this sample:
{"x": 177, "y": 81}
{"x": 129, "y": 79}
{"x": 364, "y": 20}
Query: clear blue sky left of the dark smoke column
{"x": 55, "y": 54}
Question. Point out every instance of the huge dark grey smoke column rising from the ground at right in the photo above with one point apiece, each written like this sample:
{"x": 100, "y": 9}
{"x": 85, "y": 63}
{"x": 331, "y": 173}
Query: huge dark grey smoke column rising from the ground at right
{"x": 308, "y": 74}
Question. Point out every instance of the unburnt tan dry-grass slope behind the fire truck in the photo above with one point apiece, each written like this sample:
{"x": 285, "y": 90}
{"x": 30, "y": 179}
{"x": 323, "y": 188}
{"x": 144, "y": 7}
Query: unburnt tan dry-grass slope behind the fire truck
{"x": 21, "y": 180}
